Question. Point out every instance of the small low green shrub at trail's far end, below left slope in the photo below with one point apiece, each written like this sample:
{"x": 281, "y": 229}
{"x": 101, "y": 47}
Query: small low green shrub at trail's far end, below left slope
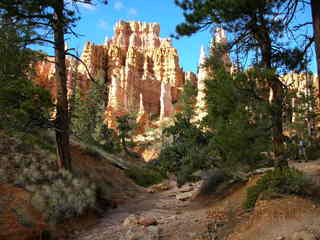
{"x": 144, "y": 176}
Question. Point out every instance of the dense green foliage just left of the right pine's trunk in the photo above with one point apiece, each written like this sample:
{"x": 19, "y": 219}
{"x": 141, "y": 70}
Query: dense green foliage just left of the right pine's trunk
{"x": 240, "y": 122}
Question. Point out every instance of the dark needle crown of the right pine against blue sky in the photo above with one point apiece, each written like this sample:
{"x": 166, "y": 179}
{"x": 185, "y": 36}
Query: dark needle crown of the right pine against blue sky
{"x": 252, "y": 24}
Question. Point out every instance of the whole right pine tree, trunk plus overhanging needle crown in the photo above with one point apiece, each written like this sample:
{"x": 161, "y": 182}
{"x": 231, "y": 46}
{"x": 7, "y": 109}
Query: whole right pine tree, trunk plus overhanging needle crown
{"x": 255, "y": 29}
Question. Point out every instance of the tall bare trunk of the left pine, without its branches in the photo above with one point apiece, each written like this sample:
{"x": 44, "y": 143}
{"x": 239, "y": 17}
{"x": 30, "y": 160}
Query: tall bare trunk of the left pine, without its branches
{"x": 62, "y": 115}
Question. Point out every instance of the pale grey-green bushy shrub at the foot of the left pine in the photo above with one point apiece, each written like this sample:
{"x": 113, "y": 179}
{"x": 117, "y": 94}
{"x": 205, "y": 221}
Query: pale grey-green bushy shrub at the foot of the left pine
{"x": 57, "y": 195}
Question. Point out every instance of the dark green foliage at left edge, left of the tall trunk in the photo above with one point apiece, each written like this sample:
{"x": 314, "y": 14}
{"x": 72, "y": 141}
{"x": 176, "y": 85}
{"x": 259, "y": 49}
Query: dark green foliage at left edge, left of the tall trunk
{"x": 24, "y": 106}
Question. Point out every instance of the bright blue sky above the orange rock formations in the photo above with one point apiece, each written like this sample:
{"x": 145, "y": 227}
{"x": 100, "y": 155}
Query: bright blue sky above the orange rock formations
{"x": 97, "y": 22}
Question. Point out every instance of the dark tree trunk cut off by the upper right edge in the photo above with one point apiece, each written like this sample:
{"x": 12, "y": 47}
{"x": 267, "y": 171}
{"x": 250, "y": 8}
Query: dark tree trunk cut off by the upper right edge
{"x": 315, "y": 9}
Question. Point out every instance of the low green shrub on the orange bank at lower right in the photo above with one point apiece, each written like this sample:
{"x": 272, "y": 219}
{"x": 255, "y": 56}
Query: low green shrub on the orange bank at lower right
{"x": 278, "y": 181}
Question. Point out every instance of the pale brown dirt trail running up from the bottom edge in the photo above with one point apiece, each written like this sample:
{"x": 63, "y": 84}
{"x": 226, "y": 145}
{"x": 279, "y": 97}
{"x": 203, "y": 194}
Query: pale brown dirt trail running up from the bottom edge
{"x": 176, "y": 219}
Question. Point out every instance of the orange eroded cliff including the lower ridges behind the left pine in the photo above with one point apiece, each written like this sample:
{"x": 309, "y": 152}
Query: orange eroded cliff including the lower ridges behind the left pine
{"x": 141, "y": 69}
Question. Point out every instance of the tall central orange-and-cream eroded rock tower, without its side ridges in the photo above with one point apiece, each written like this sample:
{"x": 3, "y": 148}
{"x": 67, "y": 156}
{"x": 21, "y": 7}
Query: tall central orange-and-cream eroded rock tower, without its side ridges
{"x": 143, "y": 69}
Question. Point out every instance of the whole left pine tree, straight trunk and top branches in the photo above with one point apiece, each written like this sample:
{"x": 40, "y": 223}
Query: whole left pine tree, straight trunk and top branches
{"x": 51, "y": 21}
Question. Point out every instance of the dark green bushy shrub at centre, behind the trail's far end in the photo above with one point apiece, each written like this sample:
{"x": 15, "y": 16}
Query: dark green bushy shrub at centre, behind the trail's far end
{"x": 188, "y": 153}
